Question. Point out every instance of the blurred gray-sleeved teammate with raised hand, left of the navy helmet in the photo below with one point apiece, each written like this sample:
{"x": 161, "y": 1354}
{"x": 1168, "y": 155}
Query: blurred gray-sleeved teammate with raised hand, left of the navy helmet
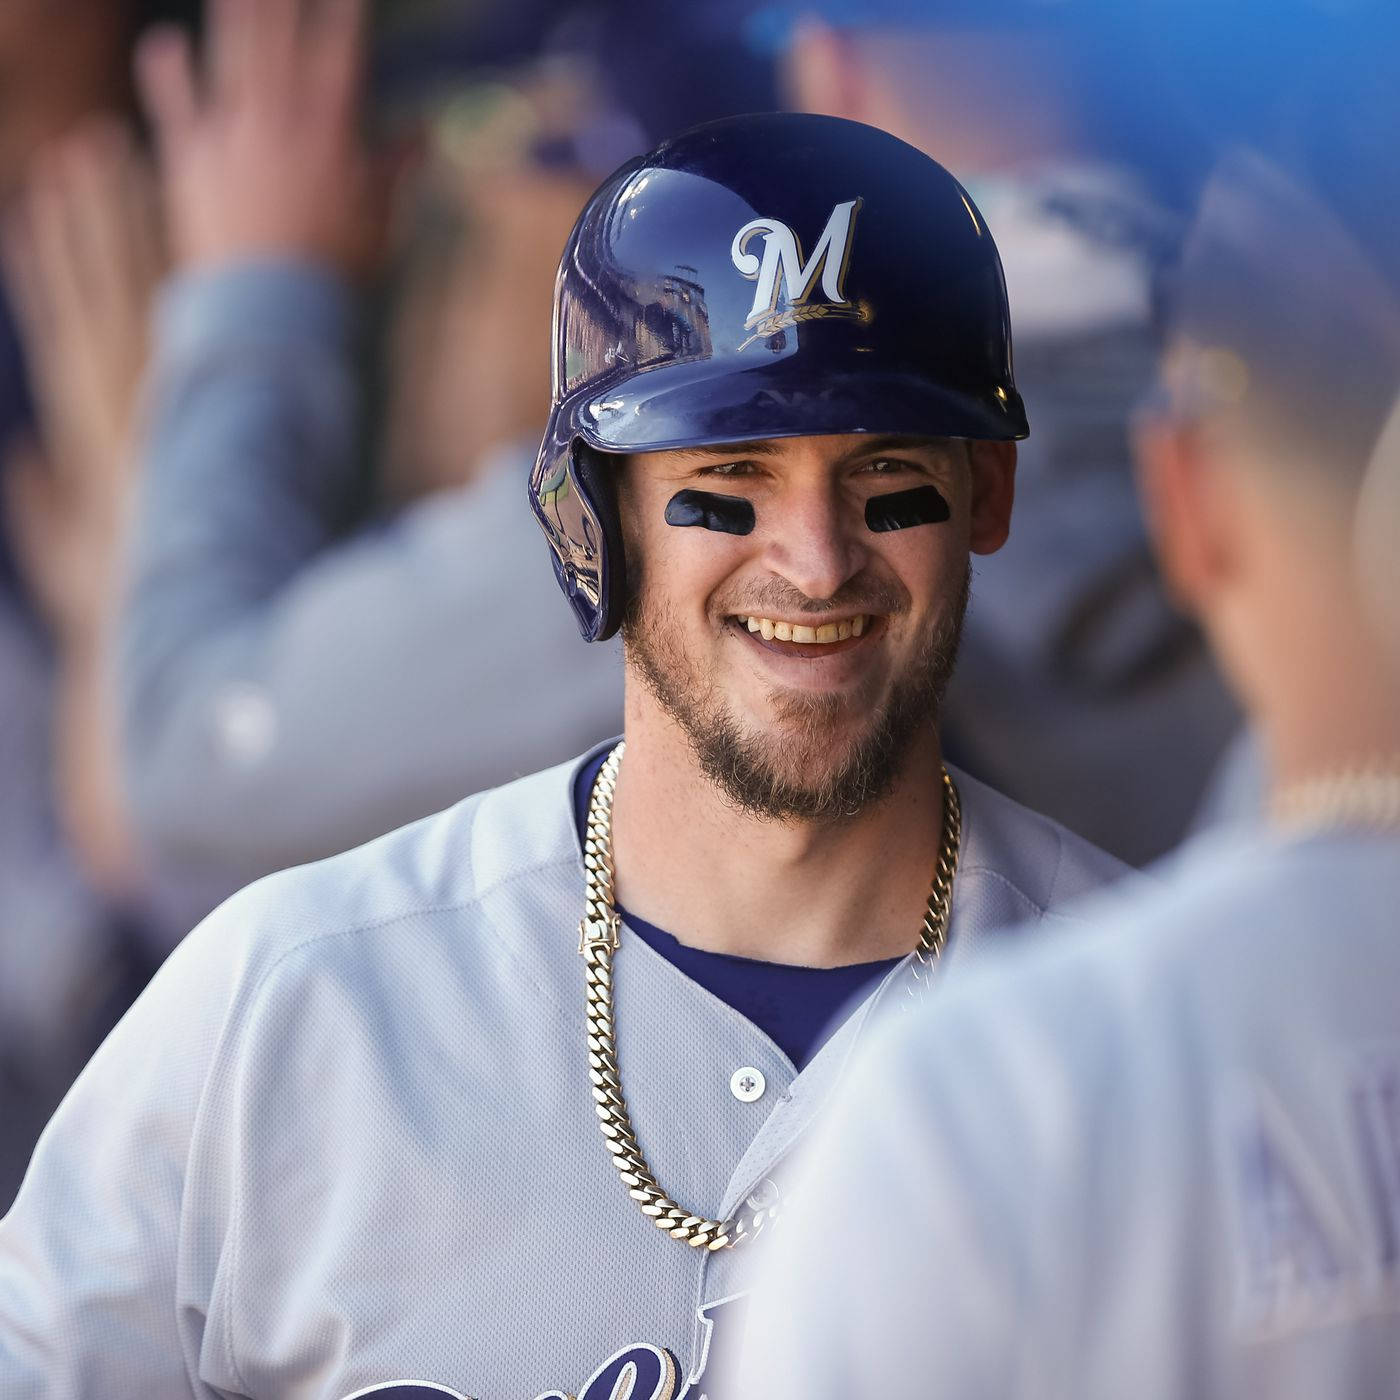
{"x": 296, "y": 678}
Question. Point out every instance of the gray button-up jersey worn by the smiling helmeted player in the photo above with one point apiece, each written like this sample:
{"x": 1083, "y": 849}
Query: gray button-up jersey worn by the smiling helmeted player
{"x": 346, "y": 1137}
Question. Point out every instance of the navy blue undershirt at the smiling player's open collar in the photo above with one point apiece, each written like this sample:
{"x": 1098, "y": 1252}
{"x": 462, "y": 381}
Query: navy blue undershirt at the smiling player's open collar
{"x": 794, "y": 1007}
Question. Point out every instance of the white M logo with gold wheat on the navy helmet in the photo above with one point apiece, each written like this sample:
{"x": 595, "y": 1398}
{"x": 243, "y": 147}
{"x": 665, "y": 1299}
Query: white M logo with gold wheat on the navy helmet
{"x": 787, "y": 283}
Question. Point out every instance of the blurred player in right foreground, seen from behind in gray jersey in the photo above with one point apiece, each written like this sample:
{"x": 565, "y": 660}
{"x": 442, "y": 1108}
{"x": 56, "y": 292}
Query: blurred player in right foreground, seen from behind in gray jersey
{"x": 1163, "y": 1158}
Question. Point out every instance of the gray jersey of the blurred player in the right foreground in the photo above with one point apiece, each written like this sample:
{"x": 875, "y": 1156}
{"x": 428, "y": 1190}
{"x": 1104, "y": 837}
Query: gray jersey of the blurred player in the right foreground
{"x": 1160, "y": 1160}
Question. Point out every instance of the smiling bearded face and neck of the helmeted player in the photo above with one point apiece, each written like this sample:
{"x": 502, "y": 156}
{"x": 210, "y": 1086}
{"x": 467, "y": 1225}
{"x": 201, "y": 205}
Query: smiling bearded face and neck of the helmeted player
{"x": 785, "y": 678}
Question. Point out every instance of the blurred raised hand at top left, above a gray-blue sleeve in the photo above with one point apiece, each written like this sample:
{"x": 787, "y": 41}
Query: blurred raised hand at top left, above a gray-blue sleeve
{"x": 261, "y": 150}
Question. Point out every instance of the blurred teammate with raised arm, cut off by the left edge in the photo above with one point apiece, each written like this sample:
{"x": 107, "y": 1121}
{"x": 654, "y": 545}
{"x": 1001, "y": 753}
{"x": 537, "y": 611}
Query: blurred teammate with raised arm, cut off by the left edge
{"x": 82, "y": 920}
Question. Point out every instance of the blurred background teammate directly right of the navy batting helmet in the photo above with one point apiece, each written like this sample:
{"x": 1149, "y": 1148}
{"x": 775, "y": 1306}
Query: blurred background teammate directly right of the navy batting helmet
{"x": 1081, "y": 691}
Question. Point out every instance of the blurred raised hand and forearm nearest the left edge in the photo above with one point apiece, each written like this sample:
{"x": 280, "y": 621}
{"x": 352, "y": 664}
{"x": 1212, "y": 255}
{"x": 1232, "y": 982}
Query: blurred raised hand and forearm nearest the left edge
{"x": 82, "y": 255}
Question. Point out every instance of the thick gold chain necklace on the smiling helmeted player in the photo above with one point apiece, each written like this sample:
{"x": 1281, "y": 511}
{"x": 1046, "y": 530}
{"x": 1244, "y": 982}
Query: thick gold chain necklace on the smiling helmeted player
{"x": 600, "y": 937}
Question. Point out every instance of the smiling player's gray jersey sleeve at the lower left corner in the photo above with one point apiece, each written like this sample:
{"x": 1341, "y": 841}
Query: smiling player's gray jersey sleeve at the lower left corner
{"x": 93, "y": 1298}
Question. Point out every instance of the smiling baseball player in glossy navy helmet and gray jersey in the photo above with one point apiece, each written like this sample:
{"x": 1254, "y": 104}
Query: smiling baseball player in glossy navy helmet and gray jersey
{"x": 496, "y": 1105}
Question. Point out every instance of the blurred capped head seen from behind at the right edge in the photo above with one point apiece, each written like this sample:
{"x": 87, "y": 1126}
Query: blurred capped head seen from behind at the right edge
{"x": 1272, "y": 465}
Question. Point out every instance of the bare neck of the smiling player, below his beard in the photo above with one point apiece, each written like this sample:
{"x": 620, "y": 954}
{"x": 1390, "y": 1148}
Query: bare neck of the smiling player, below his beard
{"x": 818, "y": 895}
